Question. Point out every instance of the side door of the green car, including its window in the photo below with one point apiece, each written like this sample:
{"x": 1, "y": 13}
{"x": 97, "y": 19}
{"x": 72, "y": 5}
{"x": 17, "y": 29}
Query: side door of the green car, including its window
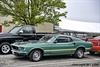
{"x": 62, "y": 45}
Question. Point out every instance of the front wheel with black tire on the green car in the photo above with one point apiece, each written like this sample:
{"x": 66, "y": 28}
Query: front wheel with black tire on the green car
{"x": 36, "y": 55}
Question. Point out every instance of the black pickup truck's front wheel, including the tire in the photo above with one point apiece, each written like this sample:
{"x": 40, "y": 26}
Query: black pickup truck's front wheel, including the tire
{"x": 5, "y": 48}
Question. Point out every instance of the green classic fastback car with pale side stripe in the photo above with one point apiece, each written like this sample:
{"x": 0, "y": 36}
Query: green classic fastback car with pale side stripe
{"x": 51, "y": 45}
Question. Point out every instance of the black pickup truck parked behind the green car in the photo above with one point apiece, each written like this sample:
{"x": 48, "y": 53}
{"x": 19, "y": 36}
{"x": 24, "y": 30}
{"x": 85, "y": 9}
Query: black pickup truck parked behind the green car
{"x": 18, "y": 33}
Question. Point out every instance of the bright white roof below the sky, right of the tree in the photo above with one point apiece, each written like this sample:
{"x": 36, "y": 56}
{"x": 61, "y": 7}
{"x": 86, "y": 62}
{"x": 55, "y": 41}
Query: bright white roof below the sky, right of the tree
{"x": 78, "y": 26}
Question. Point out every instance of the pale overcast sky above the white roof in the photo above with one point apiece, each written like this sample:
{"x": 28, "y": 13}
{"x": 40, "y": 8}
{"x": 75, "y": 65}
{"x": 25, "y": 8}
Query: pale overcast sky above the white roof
{"x": 84, "y": 10}
